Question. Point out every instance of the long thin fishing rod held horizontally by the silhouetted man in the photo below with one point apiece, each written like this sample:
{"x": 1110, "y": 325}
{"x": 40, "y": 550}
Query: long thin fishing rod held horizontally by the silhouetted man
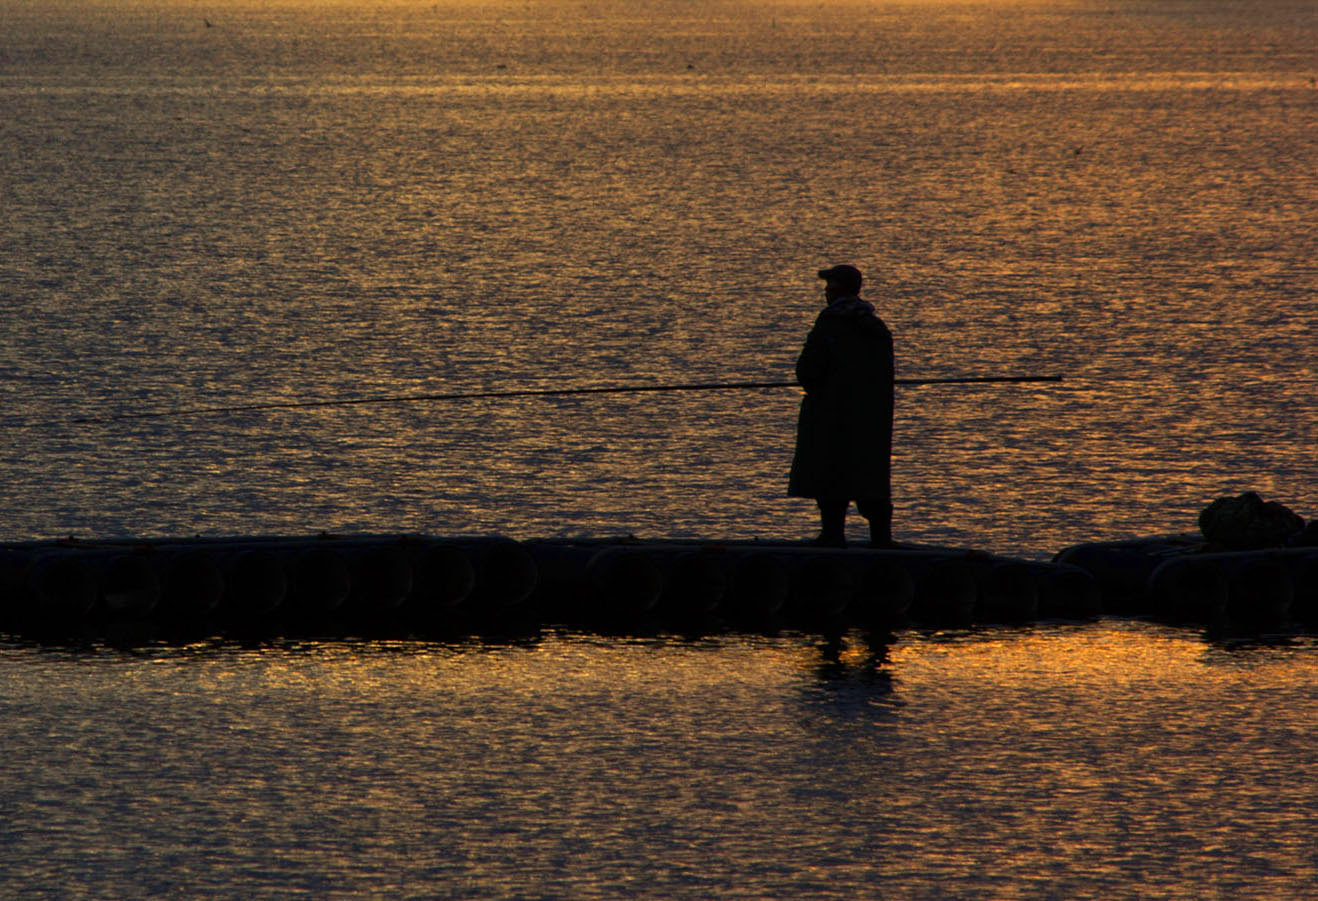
{"x": 528, "y": 393}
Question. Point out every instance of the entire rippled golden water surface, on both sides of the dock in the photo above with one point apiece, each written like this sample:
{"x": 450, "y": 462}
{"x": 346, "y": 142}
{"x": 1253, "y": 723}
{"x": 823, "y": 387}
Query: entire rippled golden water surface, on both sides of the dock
{"x": 343, "y": 201}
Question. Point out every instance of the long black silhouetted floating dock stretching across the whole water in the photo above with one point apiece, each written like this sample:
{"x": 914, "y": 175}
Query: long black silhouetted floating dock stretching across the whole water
{"x": 416, "y": 586}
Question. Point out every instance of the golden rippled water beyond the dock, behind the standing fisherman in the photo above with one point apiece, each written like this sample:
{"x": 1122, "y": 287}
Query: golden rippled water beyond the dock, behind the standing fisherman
{"x": 248, "y": 204}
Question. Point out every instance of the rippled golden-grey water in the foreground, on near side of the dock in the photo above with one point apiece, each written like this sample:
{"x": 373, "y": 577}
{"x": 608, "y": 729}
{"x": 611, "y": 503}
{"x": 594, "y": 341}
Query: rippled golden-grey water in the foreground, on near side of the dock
{"x": 1100, "y": 761}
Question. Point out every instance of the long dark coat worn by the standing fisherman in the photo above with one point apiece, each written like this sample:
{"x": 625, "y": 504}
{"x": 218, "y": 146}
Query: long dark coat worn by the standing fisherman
{"x": 844, "y": 437}
